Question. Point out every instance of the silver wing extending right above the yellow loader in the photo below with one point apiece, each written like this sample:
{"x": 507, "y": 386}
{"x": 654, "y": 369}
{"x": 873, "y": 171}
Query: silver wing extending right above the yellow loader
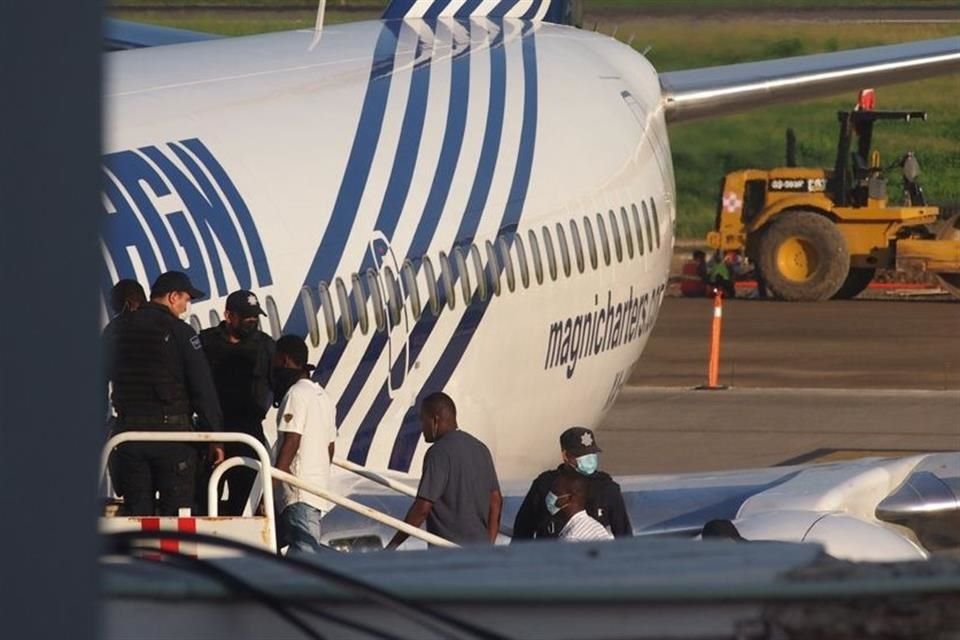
{"x": 711, "y": 91}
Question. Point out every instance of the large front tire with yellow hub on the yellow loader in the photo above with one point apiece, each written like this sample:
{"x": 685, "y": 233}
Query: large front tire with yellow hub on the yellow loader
{"x": 803, "y": 257}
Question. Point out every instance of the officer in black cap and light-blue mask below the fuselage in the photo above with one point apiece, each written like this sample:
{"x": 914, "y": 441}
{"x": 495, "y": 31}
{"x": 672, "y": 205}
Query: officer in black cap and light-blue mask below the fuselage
{"x": 580, "y": 451}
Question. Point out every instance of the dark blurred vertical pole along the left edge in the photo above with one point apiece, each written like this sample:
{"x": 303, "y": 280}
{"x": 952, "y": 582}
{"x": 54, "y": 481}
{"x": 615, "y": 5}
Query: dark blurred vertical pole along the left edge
{"x": 49, "y": 384}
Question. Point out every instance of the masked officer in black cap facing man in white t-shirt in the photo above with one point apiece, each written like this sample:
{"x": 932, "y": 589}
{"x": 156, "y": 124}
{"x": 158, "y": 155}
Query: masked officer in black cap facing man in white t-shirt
{"x": 240, "y": 356}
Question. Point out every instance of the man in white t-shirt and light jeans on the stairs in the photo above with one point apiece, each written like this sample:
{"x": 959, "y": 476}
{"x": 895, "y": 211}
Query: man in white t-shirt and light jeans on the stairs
{"x": 306, "y": 431}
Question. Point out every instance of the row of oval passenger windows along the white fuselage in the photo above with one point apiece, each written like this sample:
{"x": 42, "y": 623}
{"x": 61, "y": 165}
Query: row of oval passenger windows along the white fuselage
{"x": 625, "y": 234}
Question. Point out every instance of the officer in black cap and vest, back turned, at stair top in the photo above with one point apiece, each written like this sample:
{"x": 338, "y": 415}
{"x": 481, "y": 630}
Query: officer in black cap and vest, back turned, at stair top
{"x": 160, "y": 379}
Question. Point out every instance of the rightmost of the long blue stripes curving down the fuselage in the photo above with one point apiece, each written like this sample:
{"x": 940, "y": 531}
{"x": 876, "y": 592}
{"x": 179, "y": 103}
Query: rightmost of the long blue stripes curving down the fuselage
{"x": 405, "y": 444}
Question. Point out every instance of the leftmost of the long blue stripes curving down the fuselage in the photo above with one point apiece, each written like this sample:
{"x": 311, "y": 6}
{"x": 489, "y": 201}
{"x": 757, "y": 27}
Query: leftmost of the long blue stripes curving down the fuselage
{"x": 365, "y": 142}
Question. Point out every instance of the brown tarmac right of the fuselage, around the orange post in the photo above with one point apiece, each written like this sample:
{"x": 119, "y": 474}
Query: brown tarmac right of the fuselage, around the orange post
{"x": 808, "y": 382}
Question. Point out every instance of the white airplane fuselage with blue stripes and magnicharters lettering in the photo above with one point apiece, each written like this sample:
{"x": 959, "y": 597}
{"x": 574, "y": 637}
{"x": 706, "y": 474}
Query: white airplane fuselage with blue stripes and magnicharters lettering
{"x": 274, "y": 163}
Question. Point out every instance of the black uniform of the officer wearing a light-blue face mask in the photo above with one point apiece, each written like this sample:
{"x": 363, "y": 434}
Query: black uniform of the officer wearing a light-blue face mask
{"x": 604, "y": 504}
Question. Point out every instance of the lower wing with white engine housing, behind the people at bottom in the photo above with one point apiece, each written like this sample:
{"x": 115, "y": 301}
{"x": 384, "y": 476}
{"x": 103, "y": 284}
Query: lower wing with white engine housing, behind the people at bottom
{"x": 874, "y": 509}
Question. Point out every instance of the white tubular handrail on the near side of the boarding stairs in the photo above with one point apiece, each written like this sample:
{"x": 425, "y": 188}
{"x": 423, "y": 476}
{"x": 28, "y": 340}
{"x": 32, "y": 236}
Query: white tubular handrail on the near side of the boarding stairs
{"x": 268, "y": 473}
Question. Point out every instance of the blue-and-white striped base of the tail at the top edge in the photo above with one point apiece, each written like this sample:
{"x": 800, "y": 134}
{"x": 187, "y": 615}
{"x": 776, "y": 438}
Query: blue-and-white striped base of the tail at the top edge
{"x": 556, "y": 11}
